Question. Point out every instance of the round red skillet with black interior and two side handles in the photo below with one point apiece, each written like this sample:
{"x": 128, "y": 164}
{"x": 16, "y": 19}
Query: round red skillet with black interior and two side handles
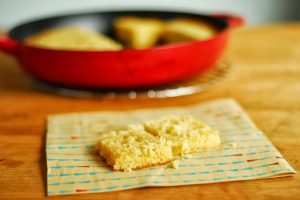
{"x": 127, "y": 68}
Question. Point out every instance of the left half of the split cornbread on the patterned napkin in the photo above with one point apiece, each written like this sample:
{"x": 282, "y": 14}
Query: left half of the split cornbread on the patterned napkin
{"x": 133, "y": 148}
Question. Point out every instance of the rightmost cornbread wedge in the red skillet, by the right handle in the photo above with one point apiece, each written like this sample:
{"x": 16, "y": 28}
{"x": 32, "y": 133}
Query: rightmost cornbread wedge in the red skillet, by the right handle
{"x": 186, "y": 29}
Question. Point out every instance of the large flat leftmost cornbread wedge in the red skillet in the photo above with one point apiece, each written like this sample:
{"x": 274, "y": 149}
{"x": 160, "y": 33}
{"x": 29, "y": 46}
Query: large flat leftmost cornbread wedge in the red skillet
{"x": 73, "y": 38}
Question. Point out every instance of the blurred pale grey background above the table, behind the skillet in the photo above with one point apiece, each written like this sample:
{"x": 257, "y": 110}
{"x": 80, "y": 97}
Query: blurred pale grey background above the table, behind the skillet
{"x": 256, "y": 12}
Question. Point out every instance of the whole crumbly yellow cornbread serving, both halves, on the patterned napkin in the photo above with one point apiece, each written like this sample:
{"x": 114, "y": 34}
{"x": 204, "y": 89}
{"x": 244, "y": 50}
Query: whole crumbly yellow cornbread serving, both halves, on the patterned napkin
{"x": 156, "y": 142}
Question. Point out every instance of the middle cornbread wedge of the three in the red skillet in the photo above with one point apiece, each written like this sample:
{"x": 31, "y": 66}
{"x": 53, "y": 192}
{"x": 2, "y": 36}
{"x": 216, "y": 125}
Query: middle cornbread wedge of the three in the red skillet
{"x": 138, "y": 32}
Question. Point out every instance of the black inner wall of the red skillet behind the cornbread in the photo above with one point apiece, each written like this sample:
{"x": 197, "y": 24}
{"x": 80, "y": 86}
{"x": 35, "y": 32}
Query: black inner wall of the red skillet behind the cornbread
{"x": 101, "y": 21}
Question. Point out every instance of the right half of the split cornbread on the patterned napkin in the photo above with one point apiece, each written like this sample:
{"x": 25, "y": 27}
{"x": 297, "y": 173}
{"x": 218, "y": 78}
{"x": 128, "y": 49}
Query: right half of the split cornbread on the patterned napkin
{"x": 186, "y": 133}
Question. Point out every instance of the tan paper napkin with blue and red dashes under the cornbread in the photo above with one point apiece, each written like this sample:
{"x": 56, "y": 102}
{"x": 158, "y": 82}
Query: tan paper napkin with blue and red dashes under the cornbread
{"x": 74, "y": 165}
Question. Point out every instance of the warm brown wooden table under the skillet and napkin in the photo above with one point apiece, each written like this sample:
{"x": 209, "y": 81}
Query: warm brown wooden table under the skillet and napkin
{"x": 264, "y": 78}
